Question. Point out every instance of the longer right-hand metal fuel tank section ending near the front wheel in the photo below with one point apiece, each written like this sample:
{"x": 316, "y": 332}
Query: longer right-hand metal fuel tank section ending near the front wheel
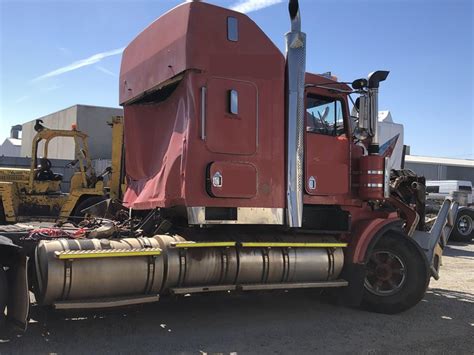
{"x": 206, "y": 264}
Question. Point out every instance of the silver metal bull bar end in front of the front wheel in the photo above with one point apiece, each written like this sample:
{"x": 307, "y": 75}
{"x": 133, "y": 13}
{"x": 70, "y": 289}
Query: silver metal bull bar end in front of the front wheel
{"x": 434, "y": 241}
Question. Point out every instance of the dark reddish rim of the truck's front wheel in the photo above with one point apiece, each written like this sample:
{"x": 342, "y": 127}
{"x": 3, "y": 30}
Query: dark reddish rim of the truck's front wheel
{"x": 386, "y": 273}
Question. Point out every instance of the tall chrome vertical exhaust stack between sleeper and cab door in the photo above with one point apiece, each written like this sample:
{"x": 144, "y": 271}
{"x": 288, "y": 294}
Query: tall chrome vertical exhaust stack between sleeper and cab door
{"x": 295, "y": 76}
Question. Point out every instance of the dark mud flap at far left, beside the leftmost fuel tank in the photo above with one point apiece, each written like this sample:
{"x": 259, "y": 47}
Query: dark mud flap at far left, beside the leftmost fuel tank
{"x": 18, "y": 303}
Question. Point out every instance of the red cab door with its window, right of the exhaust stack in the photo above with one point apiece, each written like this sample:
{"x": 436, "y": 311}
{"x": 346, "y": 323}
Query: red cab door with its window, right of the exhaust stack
{"x": 326, "y": 147}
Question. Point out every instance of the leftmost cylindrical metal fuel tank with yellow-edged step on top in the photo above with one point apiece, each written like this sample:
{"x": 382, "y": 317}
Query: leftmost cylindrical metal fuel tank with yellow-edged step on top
{"x": 83, "y": 269}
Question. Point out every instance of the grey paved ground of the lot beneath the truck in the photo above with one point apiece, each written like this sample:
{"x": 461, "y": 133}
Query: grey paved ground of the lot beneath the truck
{"x": 294, "y": 322}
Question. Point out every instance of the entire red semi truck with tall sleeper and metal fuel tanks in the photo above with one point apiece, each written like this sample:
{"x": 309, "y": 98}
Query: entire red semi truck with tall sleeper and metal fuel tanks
{"x": 261, "y": 176}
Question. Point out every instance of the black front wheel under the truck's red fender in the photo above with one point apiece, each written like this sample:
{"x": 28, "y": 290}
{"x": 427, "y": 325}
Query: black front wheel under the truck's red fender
{"x": 397, "y": 275}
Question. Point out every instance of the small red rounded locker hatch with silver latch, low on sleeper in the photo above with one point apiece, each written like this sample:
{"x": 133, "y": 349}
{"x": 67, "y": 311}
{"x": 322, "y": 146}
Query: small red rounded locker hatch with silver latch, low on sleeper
{"x": 238, "y": 180}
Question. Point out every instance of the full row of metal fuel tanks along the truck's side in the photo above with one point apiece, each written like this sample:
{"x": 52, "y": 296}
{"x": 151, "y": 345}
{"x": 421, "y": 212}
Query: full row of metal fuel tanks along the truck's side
{"x": 92, "y": 269}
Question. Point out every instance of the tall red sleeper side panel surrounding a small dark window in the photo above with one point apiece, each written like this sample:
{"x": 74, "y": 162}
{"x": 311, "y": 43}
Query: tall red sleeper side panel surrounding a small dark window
{"x": 219, "y": 121}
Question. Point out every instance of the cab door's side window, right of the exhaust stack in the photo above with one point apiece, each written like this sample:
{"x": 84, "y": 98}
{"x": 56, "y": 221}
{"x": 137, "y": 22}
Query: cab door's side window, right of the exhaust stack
{"x": 324, "y": 116}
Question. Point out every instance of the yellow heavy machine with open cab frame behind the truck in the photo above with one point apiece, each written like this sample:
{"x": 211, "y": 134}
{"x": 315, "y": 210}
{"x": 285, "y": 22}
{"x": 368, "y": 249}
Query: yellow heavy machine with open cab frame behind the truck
{"x": 35, "y": 193}
